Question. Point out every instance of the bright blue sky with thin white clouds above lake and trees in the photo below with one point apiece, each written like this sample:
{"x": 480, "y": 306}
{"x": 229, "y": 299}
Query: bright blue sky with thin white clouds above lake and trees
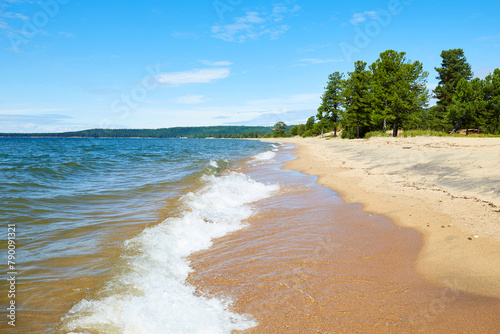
{"x": 69, "y": 65}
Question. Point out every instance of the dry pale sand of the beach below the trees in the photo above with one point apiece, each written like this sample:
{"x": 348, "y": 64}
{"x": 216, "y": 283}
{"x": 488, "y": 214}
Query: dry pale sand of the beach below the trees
{"x": 448, "y": 189}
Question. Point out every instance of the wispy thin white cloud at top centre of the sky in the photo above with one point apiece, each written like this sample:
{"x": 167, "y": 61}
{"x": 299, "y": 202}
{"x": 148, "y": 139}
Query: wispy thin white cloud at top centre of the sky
{"x": 254, "y": 25}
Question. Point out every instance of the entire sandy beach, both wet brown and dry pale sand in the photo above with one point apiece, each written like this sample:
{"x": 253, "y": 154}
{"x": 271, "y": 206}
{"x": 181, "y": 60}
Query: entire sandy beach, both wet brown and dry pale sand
{"x": 404, "y": 260}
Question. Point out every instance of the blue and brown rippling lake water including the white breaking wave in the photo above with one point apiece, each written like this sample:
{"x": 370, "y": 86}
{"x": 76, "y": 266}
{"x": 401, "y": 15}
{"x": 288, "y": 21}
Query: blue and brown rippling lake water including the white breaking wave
{"x": 108, "y": 223}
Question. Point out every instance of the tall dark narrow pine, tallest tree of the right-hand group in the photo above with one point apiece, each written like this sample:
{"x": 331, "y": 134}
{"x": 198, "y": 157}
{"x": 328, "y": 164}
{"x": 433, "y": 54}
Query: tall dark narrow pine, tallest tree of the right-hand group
{"x": 454, "y": 67}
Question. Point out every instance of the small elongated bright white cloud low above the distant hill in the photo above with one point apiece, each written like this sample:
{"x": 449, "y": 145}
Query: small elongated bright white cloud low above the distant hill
{"x": 194, "y": 76}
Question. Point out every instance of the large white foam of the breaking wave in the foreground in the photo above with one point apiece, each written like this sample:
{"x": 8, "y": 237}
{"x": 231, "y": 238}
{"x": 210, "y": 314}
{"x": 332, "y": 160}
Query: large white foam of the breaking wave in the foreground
{"x": 151, "y": 296}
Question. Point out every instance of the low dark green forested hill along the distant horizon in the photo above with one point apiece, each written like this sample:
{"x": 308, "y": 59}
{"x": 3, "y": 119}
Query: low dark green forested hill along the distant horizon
{"x": 176, "y": 132}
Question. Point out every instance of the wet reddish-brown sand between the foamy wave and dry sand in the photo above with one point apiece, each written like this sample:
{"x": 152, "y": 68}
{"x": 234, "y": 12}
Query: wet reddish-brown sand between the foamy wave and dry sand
{"x": 310, "y": 263}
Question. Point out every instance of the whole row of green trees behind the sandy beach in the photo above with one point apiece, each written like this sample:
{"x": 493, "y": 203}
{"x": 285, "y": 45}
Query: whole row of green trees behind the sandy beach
{"x": 392, "y": 94}
